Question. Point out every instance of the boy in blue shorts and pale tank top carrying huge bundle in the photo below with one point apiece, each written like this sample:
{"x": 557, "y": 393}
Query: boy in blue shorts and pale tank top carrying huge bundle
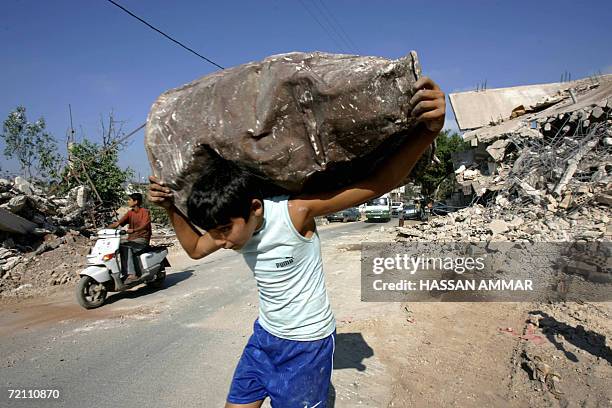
{"x": 289, "y": 356}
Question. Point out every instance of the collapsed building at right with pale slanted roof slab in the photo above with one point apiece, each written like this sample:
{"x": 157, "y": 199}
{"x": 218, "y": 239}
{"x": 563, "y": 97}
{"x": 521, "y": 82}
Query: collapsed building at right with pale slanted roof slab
{"x": 555, "y": 152}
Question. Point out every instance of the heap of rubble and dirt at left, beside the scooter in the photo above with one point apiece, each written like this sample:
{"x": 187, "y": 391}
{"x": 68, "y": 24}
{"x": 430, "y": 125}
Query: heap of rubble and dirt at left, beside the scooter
{"x": 32, "y": 223}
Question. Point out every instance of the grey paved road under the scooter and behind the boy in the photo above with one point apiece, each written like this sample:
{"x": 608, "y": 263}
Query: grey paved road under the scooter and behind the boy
{"x": 176, "y": 347}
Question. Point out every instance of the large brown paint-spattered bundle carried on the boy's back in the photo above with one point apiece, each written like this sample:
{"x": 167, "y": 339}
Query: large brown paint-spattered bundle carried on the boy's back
{"x": 306, "y": 121}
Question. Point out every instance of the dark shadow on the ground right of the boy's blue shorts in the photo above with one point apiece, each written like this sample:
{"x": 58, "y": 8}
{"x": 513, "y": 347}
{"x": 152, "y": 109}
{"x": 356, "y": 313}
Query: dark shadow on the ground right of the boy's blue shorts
{"x": 351, "y": 349}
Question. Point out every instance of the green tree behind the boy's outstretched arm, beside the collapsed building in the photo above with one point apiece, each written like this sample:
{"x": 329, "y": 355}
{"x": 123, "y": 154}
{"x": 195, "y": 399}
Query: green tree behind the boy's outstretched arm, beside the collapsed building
{"x": 436, "y": 174}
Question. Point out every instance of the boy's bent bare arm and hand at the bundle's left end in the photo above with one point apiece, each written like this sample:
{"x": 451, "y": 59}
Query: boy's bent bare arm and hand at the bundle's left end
{"x": 196, "y": 244}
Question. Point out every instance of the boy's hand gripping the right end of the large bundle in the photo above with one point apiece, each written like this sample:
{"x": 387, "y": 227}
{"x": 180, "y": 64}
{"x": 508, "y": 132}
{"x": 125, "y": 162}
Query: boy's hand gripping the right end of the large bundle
{"x": 429, "y": 104}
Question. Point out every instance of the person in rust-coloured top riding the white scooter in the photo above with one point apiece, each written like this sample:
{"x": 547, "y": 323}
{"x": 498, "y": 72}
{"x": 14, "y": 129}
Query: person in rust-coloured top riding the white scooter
{"x": 139, "y": 234}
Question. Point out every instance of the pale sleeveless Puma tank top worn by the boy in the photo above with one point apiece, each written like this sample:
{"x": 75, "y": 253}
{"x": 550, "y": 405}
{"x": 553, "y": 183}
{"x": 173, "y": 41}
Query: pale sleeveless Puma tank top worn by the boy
{"x": 288, "y": 268}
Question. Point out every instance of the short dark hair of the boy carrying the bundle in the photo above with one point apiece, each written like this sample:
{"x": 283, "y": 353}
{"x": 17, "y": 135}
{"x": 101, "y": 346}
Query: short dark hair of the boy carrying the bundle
{"x": 223, "y": 191}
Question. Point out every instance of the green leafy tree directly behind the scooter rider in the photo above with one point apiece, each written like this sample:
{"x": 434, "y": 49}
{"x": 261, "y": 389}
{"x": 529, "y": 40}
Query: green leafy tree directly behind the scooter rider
{"x": 95, "y": 165}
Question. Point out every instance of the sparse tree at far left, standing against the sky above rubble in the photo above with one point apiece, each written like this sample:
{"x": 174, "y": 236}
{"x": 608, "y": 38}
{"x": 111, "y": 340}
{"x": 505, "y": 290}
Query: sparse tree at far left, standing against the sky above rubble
{"x": 30, "y": 144}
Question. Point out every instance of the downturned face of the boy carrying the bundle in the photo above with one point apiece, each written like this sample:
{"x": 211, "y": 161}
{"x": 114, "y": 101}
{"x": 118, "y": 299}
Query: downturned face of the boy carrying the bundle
{"x": 237, "y": 233}
